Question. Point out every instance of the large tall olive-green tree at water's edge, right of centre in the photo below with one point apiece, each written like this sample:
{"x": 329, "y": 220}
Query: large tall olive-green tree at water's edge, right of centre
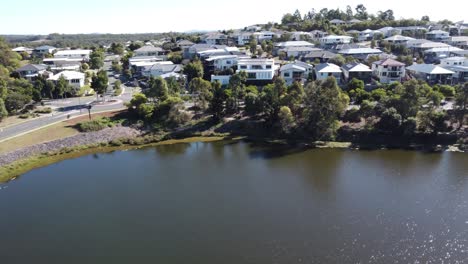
{"x": 324, "y": 103}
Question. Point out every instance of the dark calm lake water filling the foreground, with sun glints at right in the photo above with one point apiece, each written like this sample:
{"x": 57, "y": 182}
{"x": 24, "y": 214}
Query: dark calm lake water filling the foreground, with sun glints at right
{"x": 227, "y": 202}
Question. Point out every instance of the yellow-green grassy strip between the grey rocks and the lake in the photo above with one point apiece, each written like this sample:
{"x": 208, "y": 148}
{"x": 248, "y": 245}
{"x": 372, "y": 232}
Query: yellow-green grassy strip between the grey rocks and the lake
{"x": 17, "y": 168}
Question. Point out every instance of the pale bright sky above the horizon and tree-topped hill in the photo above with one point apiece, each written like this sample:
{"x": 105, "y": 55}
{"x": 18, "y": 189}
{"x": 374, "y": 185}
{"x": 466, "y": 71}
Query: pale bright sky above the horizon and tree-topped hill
{"x": 148, "y": 16}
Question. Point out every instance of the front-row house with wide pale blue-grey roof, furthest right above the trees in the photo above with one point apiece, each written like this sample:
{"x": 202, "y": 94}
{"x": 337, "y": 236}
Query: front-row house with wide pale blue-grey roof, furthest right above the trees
{"x": 431, "y": 73}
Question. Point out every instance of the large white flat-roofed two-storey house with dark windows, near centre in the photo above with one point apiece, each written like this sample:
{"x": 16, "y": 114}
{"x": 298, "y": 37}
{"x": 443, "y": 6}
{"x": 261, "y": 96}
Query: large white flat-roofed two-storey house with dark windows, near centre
{"x": 257, "y": 69}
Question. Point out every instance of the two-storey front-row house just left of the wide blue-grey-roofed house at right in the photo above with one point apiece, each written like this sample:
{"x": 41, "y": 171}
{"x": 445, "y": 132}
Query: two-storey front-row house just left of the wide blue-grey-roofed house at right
{"x": 388, "y": 70}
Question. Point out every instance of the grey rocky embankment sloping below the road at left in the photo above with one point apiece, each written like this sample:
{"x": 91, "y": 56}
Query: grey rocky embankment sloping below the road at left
{"x": 103, "y": 136}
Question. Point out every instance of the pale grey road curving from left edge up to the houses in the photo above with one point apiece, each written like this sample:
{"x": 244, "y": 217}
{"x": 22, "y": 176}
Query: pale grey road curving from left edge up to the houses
{"x": 70, "y": 107}
